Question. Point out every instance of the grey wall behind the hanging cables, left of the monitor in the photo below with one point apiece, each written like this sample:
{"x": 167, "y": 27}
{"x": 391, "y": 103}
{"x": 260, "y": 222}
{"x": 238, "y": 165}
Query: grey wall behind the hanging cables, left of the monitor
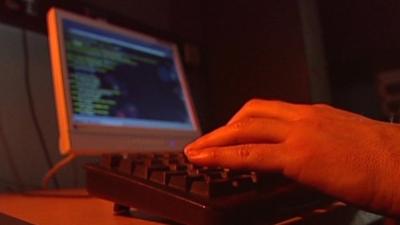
{"x": 19, "y": 142}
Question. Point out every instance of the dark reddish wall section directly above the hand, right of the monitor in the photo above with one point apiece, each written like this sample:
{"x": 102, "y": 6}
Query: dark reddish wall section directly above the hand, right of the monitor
{"x": 254, "y": 49}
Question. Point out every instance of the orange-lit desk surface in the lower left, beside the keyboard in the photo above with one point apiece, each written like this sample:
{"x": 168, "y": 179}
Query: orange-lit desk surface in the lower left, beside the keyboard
{"x": 63, "y": 208}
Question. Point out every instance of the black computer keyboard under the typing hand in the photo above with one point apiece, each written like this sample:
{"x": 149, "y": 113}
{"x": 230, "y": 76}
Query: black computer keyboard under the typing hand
{"x": 168, "y": 186}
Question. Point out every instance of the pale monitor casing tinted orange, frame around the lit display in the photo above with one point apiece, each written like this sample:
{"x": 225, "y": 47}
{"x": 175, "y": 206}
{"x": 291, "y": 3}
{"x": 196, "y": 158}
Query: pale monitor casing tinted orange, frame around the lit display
{"x": 91, "y": 139}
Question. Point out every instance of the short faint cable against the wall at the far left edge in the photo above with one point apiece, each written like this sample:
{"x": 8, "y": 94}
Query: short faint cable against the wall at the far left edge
{"x": 10, "y": 159}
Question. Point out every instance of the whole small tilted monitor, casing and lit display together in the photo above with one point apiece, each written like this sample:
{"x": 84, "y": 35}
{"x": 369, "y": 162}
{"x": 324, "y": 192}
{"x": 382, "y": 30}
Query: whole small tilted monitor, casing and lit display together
{"x": 117, "y": 90}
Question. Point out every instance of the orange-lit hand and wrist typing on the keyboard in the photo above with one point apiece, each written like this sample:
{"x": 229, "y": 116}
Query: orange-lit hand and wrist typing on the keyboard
{"x": 348, "y": 156}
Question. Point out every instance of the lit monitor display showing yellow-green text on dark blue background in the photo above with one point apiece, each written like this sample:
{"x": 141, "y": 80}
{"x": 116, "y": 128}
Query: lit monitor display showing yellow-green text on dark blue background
{"x": 116, "y": 80}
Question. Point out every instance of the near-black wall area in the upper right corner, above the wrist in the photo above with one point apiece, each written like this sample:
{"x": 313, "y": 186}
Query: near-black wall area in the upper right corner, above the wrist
{"x": 361, "y": 39}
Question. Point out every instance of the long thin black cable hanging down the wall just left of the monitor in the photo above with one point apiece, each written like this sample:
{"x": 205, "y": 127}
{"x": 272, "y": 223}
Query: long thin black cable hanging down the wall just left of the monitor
{"x": 31, "y": 105}
